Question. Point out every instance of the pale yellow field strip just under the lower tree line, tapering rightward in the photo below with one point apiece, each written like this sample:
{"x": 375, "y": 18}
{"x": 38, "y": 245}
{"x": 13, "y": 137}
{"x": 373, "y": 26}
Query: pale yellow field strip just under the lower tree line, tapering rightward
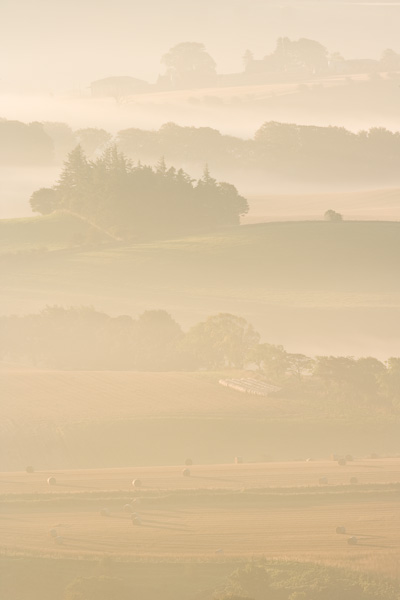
{"x": 79, "y": 395}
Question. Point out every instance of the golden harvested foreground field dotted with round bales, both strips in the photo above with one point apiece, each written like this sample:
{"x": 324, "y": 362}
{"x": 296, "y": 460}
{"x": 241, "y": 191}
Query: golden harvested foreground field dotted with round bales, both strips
{"x": 277, "y": 510}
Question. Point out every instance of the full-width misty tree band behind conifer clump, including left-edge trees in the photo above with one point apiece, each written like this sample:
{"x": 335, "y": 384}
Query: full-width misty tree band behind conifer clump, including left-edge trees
{"x": 304, "y": 152}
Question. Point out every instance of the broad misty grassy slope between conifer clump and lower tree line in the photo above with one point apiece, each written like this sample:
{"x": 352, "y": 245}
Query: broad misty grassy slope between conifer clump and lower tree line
{"x": 315, "y": 287}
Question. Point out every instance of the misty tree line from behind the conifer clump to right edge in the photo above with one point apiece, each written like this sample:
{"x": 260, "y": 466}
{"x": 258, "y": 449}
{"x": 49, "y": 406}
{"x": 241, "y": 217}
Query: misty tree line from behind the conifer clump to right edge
{"x": 303, "y": 152}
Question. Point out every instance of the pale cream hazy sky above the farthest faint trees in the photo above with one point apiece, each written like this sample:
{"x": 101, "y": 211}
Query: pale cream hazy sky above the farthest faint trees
{"x": 62, "y": 45}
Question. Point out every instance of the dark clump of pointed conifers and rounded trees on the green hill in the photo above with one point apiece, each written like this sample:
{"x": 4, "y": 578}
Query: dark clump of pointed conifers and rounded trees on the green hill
{"x": 140, "y": 201}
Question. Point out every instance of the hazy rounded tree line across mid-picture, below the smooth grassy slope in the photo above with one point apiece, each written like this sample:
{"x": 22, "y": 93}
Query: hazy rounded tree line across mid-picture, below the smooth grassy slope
{"x": 81, "y": 338}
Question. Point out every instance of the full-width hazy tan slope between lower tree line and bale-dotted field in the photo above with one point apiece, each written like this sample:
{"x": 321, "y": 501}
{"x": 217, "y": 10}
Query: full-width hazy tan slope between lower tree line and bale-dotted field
{"x": 91, "y": 419}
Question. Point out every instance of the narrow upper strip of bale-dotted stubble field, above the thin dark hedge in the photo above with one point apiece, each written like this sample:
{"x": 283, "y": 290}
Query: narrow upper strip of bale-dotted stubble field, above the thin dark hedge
{"x": 209, "y": 477}
